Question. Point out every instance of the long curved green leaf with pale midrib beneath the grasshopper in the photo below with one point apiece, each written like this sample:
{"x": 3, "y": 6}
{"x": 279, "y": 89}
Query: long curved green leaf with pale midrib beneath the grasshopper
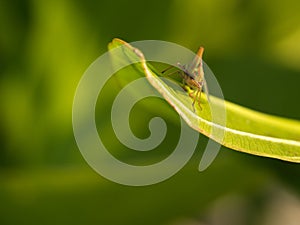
{"x": 245, "y": 130}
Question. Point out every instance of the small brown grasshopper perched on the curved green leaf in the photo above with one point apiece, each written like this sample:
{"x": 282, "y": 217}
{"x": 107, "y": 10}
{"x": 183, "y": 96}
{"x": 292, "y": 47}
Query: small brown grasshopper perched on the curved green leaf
{"x": 193, "y": 76}
